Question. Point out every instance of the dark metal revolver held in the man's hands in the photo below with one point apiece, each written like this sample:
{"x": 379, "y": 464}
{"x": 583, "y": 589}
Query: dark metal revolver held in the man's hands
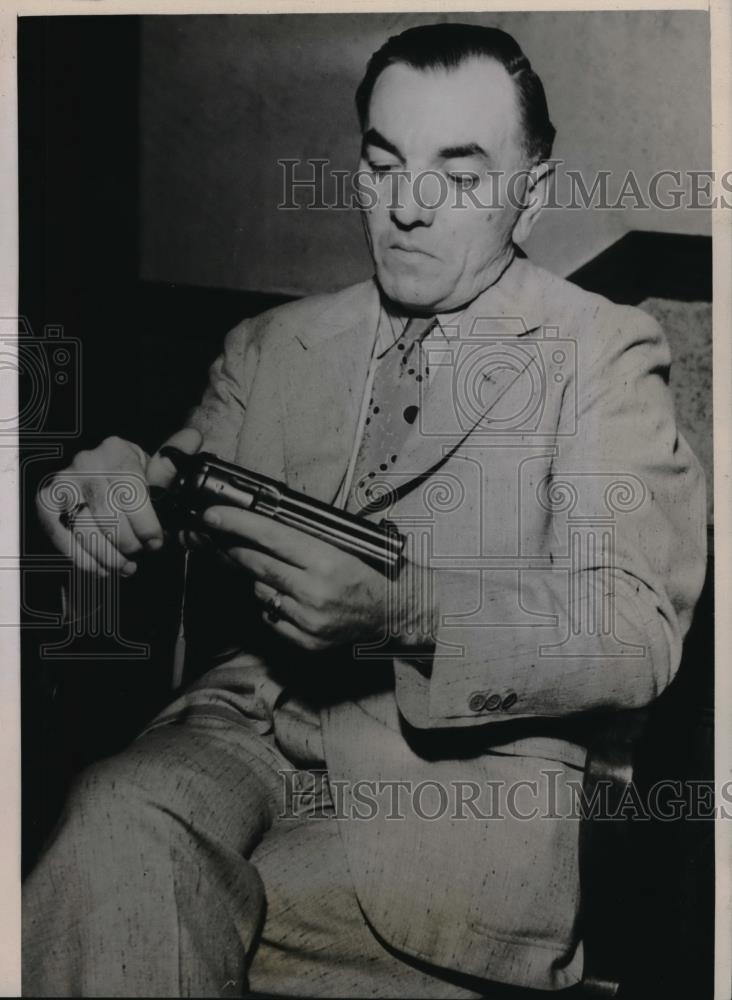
{"x": 203, "y": 481}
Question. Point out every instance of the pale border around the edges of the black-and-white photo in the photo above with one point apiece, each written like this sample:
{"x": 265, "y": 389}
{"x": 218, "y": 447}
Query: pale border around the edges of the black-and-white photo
{"x": 721, "y": 45}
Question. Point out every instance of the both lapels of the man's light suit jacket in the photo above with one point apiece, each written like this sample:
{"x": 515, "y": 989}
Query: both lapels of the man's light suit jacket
{"x": 473, "y": 370}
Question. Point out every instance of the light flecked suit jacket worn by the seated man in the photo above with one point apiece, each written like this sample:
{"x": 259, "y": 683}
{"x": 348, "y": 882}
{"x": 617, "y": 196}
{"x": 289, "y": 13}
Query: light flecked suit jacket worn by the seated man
{"x": 563, "y": 520}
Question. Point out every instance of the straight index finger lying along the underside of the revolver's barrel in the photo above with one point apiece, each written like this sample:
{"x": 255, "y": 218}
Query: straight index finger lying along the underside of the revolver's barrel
{"x": 288, "y": 544}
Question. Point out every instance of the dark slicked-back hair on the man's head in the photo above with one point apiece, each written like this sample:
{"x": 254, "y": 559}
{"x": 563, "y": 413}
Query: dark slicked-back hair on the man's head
{"x": 446, "y": 46}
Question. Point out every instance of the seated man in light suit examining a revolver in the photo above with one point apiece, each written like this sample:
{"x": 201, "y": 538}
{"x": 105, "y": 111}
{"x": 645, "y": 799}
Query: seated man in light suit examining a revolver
{"x": 520, "y": 433}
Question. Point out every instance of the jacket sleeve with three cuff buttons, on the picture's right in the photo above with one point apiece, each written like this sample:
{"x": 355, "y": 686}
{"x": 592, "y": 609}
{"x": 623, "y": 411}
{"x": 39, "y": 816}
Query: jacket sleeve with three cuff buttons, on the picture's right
{"x": 625, "y": 528}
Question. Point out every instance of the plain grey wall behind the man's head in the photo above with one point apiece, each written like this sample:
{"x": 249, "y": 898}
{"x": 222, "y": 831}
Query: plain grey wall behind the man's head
{"x": 223, "y": 98}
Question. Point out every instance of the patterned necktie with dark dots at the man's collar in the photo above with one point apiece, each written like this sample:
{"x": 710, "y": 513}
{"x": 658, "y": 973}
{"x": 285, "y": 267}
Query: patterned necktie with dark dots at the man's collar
{"x": 393, "y": 409}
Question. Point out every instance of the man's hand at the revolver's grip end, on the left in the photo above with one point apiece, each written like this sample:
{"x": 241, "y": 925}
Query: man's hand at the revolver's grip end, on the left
{"x": 98, "y": 510}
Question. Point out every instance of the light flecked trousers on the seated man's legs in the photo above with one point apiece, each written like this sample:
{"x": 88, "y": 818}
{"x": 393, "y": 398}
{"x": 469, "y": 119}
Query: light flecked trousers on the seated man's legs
{"x": 178, "y": 869}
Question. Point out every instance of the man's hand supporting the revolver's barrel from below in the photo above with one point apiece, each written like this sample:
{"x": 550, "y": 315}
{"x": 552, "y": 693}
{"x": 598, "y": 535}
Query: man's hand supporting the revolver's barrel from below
{"x": 326, "y": 597}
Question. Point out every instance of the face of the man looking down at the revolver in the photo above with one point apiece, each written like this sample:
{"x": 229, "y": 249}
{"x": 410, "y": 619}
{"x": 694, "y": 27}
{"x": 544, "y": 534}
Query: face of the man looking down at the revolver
{"x": 460, "y": 131}
